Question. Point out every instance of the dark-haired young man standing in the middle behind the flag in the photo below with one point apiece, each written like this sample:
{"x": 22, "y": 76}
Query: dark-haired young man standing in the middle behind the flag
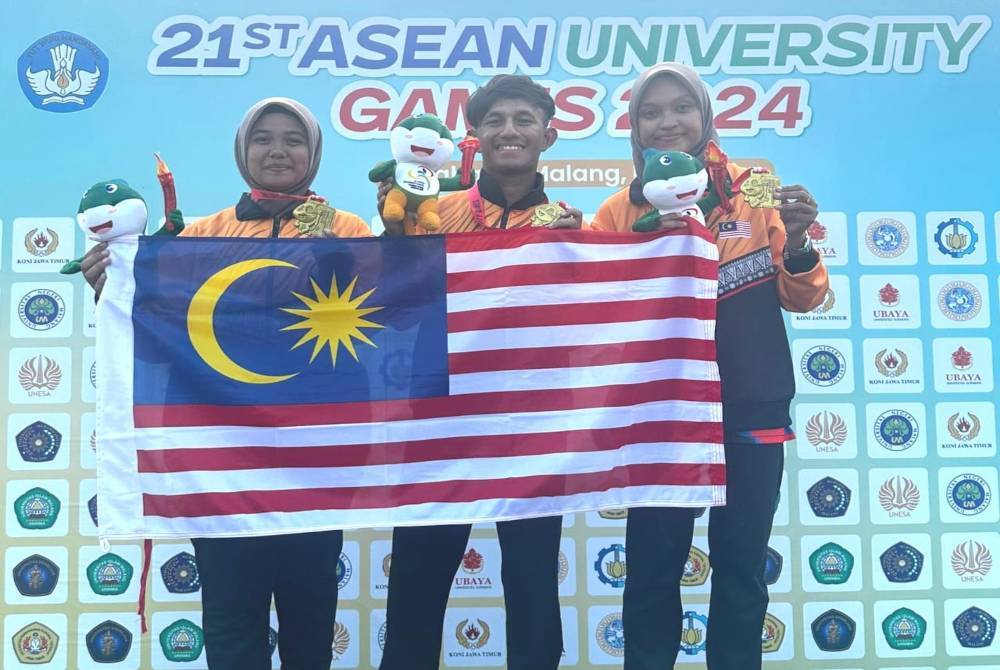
{"x": 510, "y": 115}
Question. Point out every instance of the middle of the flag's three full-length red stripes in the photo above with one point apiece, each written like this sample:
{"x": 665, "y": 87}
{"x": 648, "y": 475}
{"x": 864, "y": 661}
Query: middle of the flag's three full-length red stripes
{"x": 420, "y": 451}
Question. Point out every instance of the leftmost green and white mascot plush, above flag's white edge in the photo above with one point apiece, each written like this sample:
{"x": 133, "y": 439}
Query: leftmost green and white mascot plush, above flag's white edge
{"x": 111, "y": 209}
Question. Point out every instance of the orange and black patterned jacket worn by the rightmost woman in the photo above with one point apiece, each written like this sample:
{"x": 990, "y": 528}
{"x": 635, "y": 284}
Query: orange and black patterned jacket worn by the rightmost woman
{"x": 755, "y": 283}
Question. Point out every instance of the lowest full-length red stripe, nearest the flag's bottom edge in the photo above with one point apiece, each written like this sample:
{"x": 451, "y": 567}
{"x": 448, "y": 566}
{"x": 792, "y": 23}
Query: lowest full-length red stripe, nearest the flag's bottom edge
{"x": 380, "y": 497}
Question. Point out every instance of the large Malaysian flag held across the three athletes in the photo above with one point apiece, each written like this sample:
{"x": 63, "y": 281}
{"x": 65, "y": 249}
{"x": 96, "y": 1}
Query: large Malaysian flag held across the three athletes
{"x": 253, "y": 386}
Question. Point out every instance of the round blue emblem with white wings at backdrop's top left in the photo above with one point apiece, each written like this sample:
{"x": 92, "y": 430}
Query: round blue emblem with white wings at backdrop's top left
{"x": 62, "y": 72}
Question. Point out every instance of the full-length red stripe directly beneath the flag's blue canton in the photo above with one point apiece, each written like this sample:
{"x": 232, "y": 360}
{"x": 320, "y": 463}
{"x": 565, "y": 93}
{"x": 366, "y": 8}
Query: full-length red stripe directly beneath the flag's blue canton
{"x": 166, "y": 416}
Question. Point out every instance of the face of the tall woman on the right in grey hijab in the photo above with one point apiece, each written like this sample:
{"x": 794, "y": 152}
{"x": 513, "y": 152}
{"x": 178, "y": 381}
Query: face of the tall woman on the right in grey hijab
{"x": 668, "y": 118}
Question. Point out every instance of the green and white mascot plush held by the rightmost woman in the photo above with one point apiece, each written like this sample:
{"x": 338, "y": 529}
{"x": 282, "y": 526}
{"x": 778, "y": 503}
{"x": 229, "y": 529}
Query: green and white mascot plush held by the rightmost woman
{"x": 672, "y": 182}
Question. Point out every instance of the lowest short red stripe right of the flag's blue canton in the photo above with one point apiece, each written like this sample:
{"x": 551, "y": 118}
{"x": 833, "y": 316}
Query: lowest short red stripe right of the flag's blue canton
{"x": 580, "y": 356}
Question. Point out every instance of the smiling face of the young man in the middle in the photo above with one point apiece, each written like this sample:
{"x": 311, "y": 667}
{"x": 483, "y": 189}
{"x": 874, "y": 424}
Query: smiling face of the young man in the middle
{"x": 512, "y": 135}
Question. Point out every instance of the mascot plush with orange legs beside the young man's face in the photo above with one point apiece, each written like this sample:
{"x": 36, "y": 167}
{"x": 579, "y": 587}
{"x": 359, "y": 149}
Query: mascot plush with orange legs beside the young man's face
{"x": 420, "y": 146}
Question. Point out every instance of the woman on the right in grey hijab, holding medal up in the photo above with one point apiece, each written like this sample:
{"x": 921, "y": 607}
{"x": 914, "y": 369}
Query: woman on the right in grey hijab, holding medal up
{"x": 768, "y": 265}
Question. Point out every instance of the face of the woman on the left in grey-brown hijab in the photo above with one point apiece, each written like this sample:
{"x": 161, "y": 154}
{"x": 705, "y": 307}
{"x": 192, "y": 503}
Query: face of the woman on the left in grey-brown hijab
{"x": 277, "y": 151}
